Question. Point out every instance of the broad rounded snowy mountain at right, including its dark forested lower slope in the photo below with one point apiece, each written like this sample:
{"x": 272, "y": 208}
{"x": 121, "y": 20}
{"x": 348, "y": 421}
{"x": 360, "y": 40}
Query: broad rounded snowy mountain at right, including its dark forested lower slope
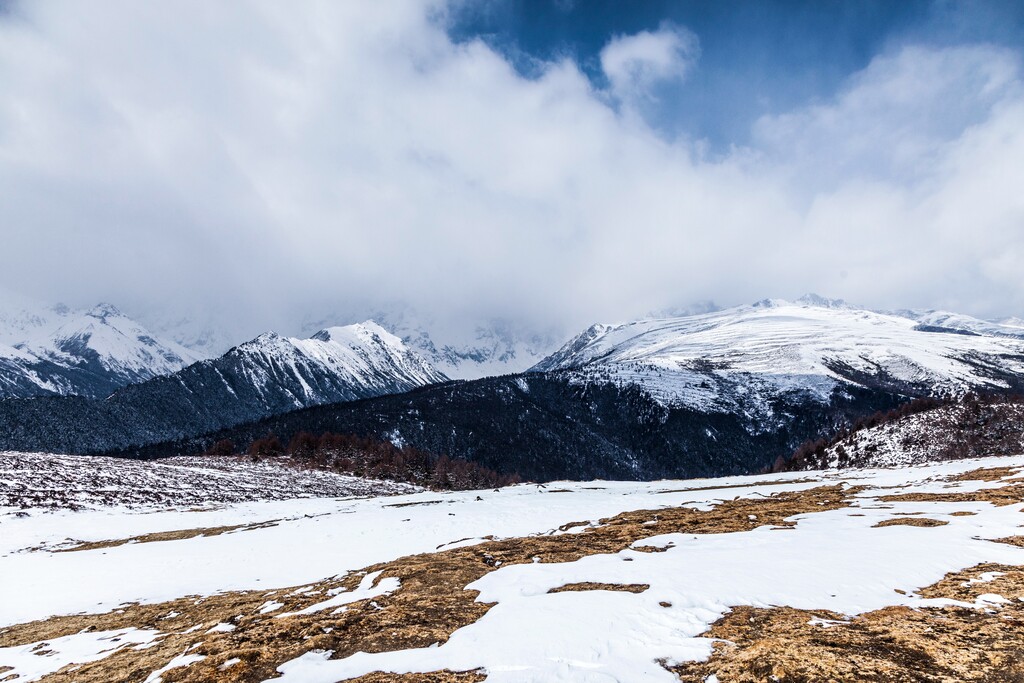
{"x": 715, "y": 394}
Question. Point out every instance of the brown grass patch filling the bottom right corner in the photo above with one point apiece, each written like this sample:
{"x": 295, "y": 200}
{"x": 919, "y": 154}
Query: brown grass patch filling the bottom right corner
{"x": 890, "y": 645}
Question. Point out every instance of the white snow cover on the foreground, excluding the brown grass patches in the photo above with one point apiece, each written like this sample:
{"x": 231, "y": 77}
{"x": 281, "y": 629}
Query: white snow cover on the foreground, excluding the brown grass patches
{"x": 834, "y": 560}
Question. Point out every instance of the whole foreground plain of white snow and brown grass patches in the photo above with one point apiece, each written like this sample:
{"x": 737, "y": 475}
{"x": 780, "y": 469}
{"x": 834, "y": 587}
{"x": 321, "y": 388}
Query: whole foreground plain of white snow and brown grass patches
{"x": 843, "y": 575}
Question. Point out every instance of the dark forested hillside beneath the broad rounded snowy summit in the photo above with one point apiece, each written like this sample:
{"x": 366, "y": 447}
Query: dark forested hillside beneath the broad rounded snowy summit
{"x": 545, "y": 426}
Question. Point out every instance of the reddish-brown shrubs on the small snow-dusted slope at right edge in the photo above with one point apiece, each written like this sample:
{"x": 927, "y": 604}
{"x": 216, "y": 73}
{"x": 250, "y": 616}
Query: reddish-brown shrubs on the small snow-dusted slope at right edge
{"x": 975, "y": 415}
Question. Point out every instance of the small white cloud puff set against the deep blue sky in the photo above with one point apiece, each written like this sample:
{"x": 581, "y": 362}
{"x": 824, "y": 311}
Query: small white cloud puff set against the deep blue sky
{"x": 635, "y": 65}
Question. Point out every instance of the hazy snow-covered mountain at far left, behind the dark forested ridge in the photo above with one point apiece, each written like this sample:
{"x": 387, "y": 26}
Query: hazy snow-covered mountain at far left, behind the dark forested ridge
{"x": 57, "y": 351}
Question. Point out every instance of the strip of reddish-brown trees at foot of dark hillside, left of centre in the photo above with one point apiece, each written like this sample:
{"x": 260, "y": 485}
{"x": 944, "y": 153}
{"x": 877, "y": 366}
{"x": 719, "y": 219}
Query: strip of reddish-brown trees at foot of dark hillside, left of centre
{"x": 371, "y": 458}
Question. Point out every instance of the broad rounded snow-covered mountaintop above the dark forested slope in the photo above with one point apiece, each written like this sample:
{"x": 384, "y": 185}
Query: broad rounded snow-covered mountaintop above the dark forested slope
{"x": 742, "y": 360}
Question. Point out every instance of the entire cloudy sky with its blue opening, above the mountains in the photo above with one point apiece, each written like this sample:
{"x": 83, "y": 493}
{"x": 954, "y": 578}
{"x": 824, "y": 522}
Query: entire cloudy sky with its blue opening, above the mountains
{"x": 269, "y": 162}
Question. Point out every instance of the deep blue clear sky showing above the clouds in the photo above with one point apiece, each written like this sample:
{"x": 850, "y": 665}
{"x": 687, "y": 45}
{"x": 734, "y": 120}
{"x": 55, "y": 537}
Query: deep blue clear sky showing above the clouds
{"x": 757, "y": 57}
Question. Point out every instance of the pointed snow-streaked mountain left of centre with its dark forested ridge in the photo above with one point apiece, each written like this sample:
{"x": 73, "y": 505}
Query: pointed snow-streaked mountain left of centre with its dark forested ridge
{"x": 268, "y": 376}
